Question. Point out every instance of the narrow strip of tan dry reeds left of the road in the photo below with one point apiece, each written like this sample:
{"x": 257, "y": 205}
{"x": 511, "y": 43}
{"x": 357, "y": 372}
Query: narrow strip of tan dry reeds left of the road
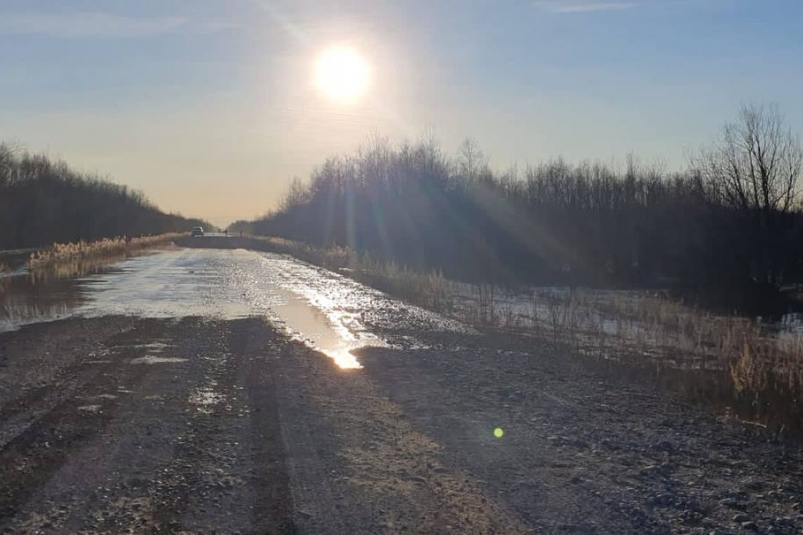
{"x": 66, "y": 253}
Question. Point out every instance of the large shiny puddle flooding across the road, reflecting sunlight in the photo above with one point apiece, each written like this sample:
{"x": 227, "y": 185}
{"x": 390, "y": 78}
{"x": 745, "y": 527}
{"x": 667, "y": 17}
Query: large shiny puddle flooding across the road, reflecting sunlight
{"x": 323, "y": 310}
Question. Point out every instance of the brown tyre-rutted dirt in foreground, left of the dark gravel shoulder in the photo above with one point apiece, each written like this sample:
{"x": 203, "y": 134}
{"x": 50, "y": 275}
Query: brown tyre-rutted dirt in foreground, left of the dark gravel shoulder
{"x": 159, "y": 425}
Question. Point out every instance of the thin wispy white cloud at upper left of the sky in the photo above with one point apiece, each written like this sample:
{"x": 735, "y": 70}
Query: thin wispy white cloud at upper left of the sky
{"x": 96, "y": 25}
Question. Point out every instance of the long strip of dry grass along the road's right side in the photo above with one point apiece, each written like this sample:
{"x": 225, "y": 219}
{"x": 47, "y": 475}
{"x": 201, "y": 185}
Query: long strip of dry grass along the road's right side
{"x": 733, "y": 362}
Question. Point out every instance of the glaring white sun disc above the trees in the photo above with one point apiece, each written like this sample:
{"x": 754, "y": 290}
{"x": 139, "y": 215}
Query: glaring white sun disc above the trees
{"x": 342, "y": 74}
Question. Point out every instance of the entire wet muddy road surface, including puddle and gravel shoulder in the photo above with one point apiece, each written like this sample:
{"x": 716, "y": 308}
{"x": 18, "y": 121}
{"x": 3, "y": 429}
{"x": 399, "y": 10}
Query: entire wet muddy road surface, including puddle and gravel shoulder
{"x": 234, "y": 392}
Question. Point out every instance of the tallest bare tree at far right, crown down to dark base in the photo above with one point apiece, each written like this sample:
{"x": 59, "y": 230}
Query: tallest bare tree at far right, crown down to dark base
{"x": 752, "y": 176}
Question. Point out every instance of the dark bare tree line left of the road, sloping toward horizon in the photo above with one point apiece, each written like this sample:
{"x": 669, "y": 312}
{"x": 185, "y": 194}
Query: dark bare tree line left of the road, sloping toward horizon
{"x": 43, "y": 201}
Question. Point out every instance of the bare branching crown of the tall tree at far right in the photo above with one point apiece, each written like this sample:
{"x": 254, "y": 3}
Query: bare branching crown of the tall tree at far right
{"x": 756, "y": 165}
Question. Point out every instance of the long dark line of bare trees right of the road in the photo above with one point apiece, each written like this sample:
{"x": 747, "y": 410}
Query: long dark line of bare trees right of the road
{"x": 728, "y": 229}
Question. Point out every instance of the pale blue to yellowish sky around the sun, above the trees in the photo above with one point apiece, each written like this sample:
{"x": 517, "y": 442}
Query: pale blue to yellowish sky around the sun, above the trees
{"x": 212, "y": 106}
